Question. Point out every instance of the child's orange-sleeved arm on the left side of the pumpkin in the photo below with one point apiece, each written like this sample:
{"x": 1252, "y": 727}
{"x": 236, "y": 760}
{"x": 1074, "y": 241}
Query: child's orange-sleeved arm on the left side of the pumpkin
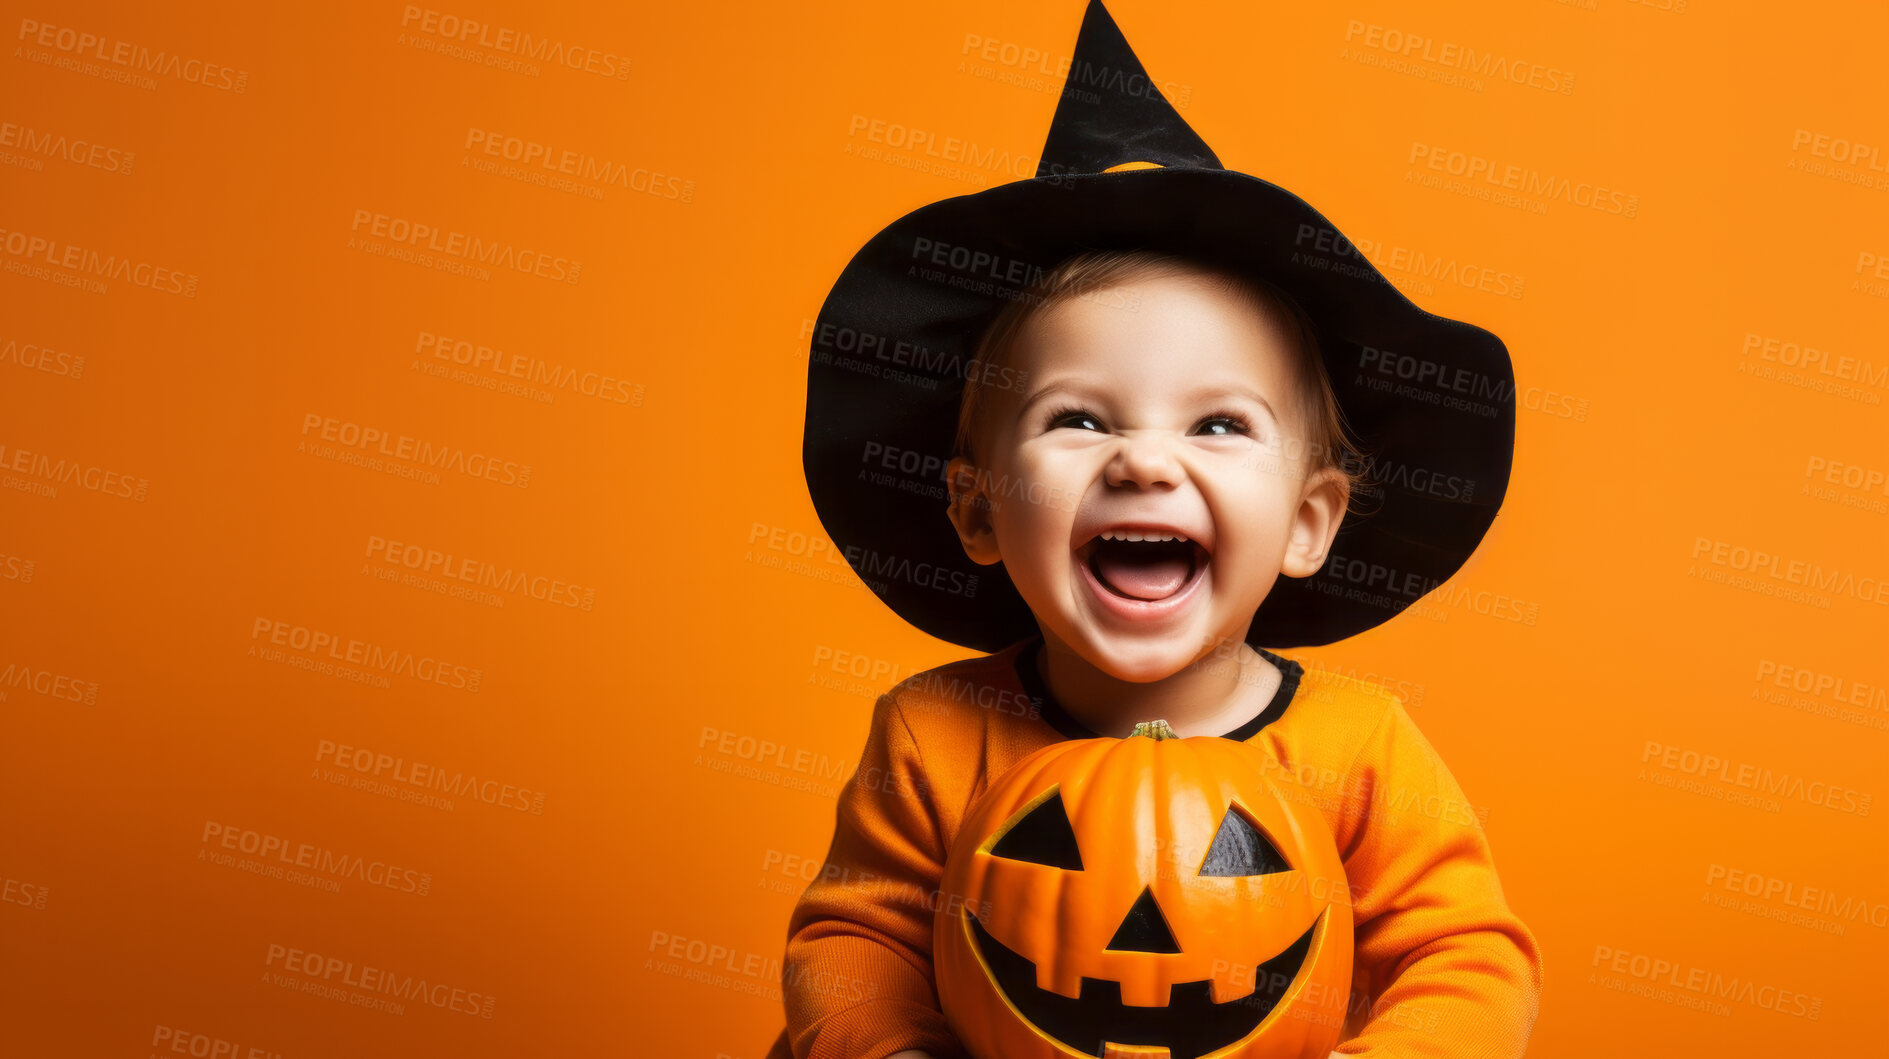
{"x": 857, "y": 977}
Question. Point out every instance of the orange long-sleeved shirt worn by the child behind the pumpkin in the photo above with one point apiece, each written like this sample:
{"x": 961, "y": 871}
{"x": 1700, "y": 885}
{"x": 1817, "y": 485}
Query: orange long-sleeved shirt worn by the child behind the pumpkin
{"x": 1444, "y": 969}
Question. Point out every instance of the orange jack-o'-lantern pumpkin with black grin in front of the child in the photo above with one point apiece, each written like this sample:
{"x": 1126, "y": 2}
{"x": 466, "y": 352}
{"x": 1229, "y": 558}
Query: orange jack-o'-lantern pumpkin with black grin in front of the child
{"x": 1144, "y": 898}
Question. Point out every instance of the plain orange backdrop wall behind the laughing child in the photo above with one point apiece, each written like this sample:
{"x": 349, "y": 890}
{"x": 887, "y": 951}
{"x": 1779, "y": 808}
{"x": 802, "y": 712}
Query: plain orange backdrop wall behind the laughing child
{"x": 118, "y": 920}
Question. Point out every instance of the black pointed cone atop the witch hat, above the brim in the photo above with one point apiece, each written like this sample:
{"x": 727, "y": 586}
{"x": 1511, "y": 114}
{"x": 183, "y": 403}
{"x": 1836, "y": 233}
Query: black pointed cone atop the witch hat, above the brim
{"x": 1114, "y": 114}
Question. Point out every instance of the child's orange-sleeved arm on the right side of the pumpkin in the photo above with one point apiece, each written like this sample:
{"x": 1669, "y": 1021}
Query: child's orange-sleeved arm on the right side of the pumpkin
{"x": 1455, "y": 973}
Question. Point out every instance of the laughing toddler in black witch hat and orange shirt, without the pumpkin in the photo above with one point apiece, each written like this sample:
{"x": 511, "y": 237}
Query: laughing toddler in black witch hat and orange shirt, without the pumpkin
{"x": 1151, "y": 380}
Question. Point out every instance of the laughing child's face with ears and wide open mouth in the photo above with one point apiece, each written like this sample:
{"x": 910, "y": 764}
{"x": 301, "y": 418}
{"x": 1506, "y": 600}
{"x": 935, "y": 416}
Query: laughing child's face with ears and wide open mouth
{"x": 1172, "y": 418}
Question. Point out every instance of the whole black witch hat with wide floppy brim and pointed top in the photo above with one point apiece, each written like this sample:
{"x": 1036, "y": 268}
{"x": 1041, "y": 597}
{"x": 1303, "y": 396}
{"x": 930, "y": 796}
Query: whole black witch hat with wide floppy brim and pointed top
{"x": 1431, "y": 399}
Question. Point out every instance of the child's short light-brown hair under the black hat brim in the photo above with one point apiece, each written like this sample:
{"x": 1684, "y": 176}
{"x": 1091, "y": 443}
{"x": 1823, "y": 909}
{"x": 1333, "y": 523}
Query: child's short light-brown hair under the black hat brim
{"x": 1085, "y": 275}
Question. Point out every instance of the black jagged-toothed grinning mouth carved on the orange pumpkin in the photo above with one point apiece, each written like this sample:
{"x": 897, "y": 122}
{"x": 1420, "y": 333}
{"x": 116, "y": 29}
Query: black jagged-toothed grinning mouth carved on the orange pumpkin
{"x": 1189, "y": 1026}
